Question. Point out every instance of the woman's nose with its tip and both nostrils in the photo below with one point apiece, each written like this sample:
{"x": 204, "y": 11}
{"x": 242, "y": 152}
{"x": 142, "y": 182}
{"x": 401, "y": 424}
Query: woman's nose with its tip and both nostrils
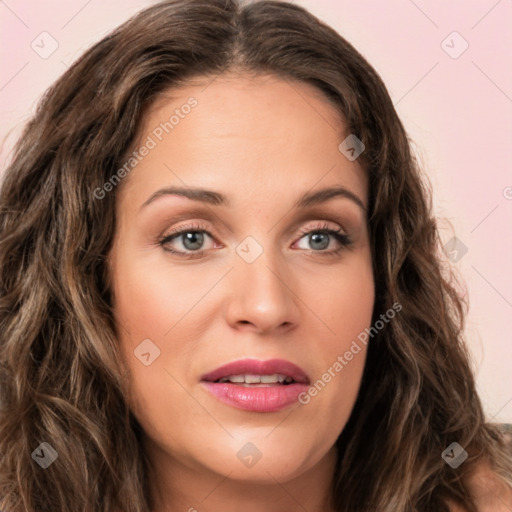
{"x": 262, "y": 297}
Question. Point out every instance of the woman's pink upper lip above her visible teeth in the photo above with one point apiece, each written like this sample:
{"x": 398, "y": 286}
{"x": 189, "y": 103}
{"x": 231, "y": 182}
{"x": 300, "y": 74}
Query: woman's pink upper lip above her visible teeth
{"x": 256, "y": 367}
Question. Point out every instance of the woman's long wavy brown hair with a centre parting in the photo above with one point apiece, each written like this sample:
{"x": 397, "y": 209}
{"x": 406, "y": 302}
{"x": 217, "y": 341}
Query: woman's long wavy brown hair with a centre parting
{"x": 61, "y": 375}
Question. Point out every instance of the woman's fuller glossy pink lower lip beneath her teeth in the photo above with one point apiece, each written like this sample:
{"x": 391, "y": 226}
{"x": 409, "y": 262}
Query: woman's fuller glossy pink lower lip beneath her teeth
{"x": 257, "y": 398}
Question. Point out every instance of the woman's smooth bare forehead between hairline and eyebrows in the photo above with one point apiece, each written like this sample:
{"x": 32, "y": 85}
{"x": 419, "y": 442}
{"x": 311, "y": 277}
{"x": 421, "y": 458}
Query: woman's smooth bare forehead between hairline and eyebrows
{"x": 251, "y": 135}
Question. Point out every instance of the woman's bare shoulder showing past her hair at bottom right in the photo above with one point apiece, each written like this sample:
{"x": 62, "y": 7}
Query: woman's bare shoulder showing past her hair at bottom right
{"x": 490, "y": 492}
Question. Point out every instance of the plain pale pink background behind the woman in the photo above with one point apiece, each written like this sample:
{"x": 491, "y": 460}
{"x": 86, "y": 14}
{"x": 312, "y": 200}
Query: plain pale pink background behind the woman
{"x": 457, "y": 110}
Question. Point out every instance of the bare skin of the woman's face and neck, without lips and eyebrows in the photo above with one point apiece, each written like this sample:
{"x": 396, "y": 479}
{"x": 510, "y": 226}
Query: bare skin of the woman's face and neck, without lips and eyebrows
{"x": 263, "y": 142}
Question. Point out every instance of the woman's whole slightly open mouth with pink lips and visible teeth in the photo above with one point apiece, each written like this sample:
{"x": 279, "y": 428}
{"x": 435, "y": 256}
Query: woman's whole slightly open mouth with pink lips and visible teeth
{"x": 258, "y": 386}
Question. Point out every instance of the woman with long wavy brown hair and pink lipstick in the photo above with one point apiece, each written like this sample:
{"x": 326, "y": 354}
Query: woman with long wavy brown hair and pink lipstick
{"x": 173, "y": 338}
